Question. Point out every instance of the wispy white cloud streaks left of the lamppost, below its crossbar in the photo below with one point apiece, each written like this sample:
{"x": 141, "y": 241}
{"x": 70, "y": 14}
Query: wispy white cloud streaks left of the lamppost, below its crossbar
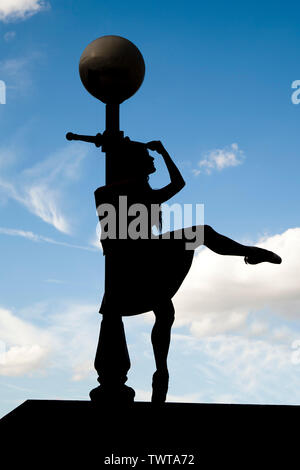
{"x": 40, "y": 188}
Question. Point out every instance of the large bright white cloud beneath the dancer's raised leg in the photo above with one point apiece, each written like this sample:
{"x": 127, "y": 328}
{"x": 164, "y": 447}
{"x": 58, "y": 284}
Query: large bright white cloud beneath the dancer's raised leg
{"x": 220, "y": 292}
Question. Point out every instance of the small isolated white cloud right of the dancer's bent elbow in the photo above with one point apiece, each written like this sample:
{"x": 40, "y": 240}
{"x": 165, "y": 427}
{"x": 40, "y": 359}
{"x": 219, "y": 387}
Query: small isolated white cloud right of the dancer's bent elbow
{"x": 218, "y": 159}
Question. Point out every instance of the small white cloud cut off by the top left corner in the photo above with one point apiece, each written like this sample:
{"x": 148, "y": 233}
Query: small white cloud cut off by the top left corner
{"x": 11, "y": 10}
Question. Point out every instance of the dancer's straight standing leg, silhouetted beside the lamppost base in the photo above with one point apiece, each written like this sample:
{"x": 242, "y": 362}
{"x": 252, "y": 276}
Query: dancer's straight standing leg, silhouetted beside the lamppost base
{"x": 160, "y": 337}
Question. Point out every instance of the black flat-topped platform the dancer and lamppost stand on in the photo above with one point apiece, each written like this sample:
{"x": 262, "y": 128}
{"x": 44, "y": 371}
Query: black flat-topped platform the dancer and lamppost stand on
{"x": 61, "y": 434}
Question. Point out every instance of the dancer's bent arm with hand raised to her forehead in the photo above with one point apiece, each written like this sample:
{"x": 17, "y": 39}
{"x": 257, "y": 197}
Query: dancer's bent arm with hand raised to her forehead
{"x": 177, "y": 182}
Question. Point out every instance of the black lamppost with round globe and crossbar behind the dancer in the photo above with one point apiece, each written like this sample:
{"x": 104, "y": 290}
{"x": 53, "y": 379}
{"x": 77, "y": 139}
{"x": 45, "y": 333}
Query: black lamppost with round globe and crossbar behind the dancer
{"x": 111, "y": 69}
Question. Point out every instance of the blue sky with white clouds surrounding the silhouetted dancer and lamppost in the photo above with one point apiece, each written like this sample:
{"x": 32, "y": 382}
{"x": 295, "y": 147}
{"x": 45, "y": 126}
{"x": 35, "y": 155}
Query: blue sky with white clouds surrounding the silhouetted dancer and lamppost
{"x": 217, "y": 92}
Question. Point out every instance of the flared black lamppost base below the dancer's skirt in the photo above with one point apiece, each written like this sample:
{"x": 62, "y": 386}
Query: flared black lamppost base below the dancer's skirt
{"x": 112, "y": 362}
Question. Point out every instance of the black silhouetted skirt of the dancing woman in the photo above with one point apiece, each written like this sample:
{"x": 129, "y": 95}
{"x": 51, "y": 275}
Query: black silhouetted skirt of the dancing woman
{"x": 141, "y": 274}
